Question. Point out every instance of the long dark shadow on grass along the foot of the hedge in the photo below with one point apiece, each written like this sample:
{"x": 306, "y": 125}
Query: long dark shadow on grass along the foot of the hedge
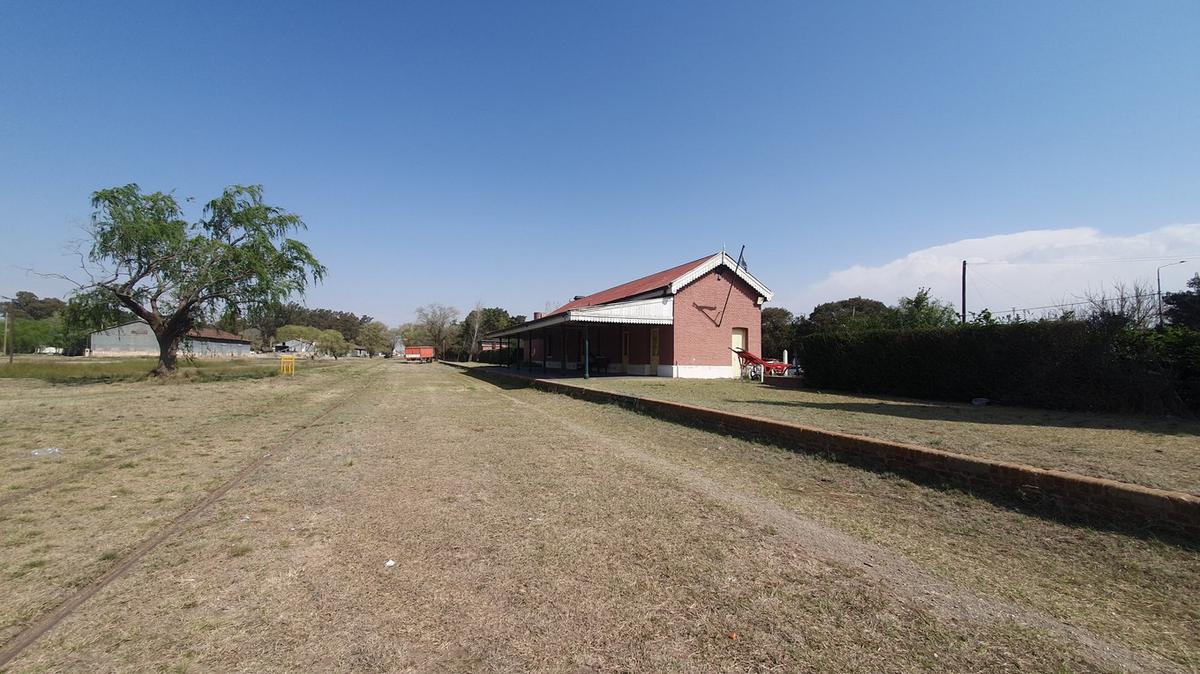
{"x": 995, "y": 416}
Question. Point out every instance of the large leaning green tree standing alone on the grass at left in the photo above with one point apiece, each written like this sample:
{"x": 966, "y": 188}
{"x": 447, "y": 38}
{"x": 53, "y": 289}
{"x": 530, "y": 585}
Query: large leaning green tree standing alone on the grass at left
{"x": 172, "y": 274}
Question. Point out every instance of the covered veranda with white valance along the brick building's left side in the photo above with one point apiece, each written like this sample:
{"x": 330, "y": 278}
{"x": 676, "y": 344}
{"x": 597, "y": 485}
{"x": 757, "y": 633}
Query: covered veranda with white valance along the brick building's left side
{"x": 621, "y": 339}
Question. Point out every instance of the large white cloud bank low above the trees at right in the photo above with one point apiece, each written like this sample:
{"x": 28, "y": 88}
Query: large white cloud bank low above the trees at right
{"x": 1027, "y": 269}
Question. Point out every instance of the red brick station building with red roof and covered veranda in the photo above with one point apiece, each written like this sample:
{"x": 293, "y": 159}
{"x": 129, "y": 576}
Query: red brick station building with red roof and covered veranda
{"x": 681, "y": 322}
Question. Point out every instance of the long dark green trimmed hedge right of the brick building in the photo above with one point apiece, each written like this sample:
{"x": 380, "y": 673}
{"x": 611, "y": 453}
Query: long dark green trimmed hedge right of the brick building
{"x": 1058, "y": 365}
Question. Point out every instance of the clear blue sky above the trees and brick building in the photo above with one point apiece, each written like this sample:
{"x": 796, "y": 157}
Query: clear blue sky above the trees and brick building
{"x": 519, "y": 154}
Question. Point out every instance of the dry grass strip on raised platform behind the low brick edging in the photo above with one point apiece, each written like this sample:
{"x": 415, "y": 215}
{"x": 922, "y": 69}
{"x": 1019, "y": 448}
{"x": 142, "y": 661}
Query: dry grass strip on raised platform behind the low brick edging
{"x": 1161, "y": 453}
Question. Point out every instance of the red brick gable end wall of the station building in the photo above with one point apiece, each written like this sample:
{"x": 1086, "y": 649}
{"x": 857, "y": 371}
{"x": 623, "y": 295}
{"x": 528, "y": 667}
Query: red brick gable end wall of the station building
{"x": 698, "y": 340}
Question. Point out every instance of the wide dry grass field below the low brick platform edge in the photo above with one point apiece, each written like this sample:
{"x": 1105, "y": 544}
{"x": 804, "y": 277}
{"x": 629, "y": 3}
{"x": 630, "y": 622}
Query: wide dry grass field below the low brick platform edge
{"x": 530, "y": 532}
